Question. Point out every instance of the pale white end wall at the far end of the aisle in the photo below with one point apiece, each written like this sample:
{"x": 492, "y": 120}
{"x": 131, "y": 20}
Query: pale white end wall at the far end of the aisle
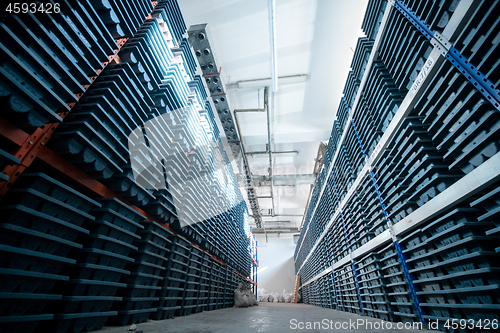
{"x": 276, "y": 268}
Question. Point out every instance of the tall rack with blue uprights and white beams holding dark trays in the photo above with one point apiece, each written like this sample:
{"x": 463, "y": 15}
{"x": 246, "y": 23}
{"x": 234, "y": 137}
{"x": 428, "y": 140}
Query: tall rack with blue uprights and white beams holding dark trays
{"x": 403, "y": 293}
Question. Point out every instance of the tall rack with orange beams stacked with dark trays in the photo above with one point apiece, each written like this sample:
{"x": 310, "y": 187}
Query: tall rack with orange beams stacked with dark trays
{"x": 95, "y": 46}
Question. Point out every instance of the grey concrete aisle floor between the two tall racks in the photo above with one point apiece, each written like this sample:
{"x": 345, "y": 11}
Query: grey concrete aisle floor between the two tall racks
{"x": 267, "y": 317}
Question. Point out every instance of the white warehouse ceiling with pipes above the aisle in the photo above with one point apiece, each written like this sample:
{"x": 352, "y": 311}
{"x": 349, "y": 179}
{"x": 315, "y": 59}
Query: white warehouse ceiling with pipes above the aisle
{"x": 316, "y": 38}
